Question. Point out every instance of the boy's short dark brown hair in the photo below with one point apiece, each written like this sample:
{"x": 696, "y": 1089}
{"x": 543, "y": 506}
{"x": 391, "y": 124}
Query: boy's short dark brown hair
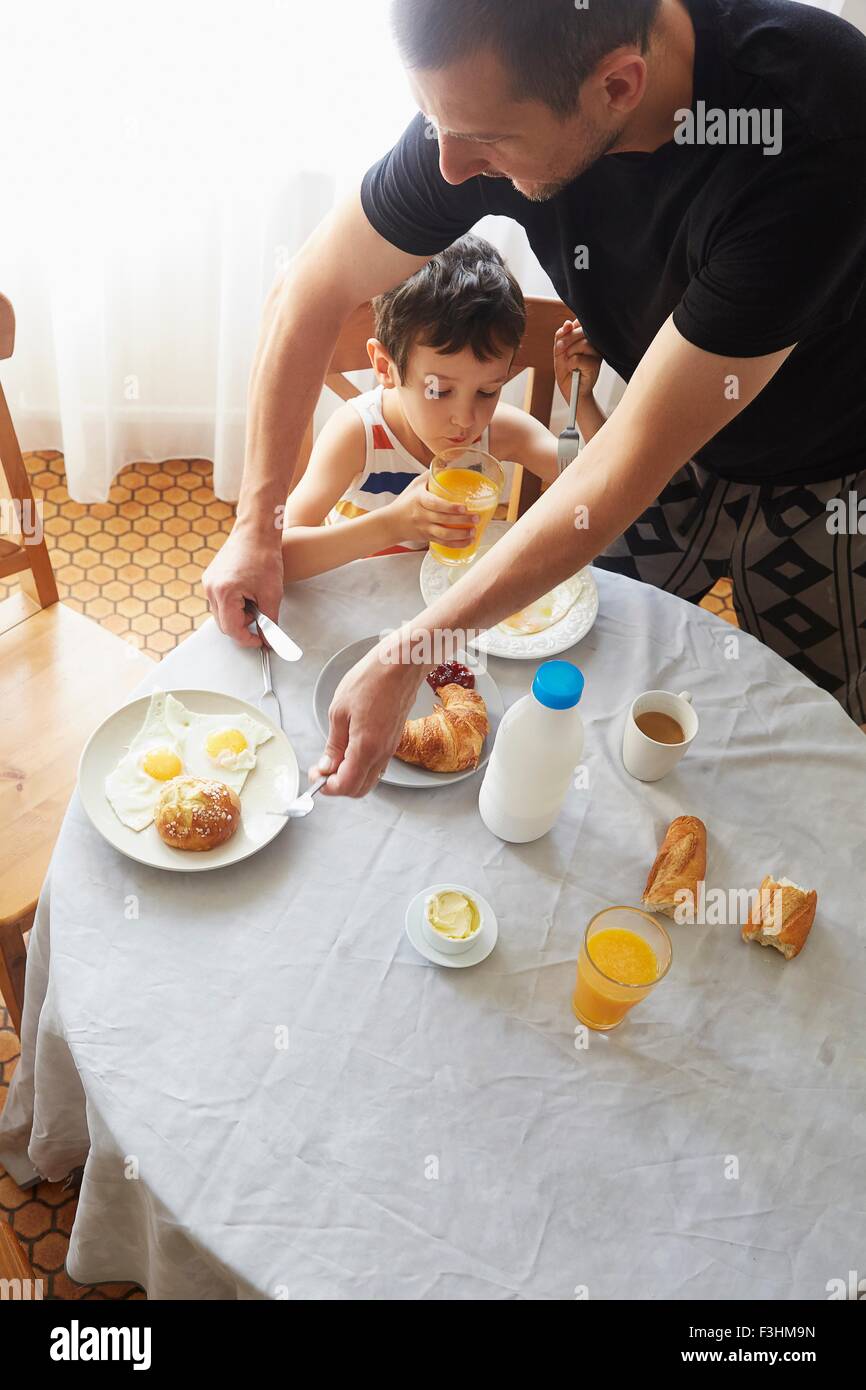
{"x": 464, "y": 298}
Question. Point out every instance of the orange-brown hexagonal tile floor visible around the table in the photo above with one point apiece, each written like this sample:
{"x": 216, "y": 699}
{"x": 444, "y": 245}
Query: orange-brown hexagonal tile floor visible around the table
{"x": 134, "y": 564}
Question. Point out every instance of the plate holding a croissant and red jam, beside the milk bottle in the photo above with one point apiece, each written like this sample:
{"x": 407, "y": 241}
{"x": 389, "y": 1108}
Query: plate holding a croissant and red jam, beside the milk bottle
{"x": 451, "y": 729}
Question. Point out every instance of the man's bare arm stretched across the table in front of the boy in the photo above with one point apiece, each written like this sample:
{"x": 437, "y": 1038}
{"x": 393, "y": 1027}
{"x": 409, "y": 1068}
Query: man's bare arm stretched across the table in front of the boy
{"x": 679, "y": 400}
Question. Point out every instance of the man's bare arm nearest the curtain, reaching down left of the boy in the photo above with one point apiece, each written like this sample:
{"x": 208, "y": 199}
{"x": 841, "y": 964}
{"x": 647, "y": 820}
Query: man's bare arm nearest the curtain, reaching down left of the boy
{"x": 343, "y": 265}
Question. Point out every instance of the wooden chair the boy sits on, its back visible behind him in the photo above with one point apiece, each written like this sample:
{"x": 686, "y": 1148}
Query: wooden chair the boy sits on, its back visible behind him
{"x": 536, "y": 358}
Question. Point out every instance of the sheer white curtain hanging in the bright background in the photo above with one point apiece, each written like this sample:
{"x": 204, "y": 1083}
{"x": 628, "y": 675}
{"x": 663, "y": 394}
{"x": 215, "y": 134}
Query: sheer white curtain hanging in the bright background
{"x": 161, "y": 163}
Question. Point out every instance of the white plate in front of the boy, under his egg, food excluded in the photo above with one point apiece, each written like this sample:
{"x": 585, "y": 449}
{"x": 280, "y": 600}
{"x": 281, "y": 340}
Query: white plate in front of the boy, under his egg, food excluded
{"x": 437, "y": 579}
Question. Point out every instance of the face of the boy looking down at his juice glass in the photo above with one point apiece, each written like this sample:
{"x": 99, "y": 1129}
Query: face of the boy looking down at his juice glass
{"x": 447, "y": 400}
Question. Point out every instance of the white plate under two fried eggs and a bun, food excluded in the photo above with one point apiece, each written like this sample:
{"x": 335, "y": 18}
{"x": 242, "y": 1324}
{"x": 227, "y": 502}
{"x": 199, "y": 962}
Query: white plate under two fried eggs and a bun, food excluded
{"x": 272, "y": 786}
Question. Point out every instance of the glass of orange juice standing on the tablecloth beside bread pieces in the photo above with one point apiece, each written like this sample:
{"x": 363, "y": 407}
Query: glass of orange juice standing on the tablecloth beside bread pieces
{"x": 623, "y": 957}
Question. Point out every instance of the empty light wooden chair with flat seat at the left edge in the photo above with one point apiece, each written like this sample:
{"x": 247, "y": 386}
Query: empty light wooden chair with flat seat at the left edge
{"x": 60, "y": 676}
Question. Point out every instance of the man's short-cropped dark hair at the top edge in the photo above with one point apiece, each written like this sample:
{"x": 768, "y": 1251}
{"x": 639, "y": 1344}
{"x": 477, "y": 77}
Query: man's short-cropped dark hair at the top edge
{"x": 550, "y": 48}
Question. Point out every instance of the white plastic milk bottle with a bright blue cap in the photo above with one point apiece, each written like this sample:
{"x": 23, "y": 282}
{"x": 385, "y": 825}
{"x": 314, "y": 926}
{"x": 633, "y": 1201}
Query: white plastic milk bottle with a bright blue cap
{"x": 539, "y": 746}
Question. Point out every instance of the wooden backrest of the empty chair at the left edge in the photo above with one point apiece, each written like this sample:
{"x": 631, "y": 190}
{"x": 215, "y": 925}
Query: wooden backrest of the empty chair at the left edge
{"x": 23, "y": 547}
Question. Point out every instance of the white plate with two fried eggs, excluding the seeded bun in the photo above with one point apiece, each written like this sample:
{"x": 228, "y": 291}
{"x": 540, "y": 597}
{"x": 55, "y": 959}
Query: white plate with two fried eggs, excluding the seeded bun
{"x": 144, "y": 747}
